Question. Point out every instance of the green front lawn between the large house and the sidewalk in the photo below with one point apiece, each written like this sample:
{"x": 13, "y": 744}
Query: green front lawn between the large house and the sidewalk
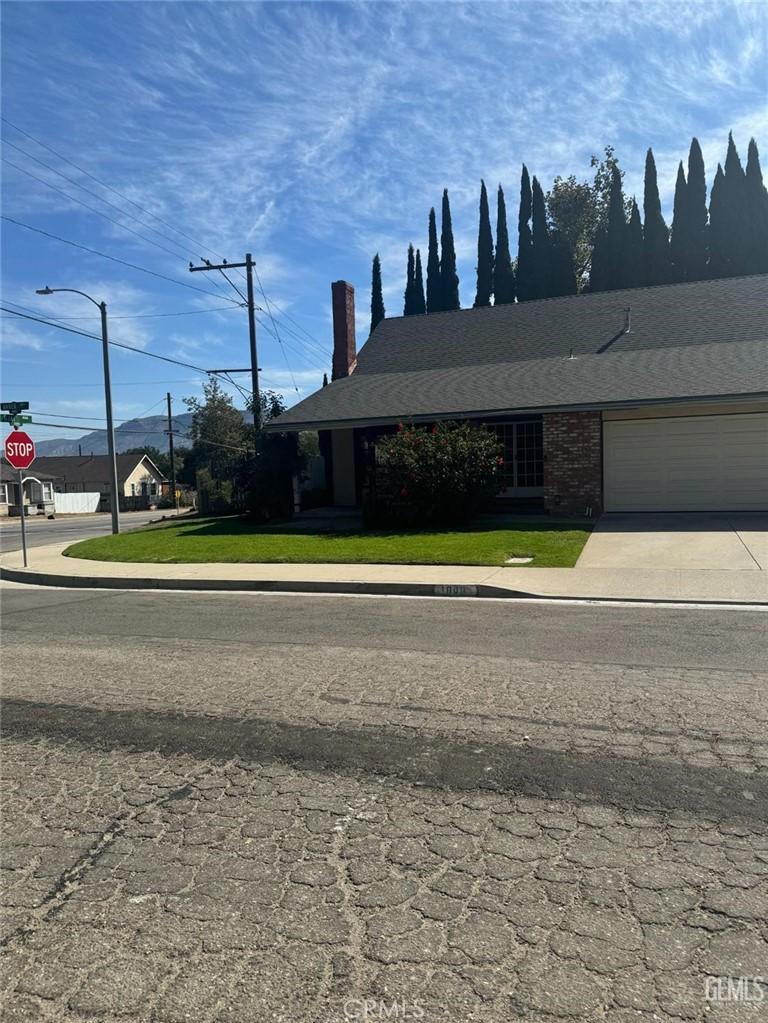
{"x": 236, "y": 541}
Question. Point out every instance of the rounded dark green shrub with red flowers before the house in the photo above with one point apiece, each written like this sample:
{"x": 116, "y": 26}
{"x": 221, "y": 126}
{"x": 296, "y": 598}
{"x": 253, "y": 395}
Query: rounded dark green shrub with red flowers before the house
{"x": 438, "y": 476}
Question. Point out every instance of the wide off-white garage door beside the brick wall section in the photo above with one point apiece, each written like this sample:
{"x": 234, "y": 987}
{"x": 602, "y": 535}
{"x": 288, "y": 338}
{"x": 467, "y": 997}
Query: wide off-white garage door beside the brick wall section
{"x": 687, "y": 464}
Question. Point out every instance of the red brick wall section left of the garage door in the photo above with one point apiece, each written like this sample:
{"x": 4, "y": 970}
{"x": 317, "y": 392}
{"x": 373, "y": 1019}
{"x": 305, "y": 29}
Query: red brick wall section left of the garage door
{"x": 573, "y": 464}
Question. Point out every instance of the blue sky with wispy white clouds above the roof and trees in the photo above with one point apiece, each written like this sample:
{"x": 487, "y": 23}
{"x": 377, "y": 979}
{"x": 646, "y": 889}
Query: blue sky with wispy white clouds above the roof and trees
{"x": 315, "y": 136}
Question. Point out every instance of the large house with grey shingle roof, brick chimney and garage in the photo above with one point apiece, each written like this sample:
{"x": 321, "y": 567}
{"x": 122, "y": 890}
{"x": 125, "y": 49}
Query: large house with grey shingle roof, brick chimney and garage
{"x": 647, "y": 399}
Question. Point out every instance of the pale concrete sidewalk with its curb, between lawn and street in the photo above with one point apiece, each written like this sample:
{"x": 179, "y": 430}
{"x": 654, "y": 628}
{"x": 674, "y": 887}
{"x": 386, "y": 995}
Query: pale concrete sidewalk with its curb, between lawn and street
{"x": 50, "y": 567}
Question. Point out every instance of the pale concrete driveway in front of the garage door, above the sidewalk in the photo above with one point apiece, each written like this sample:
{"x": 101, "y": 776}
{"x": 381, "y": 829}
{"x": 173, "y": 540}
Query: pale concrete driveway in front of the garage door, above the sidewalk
{"x": 680, "y": 541}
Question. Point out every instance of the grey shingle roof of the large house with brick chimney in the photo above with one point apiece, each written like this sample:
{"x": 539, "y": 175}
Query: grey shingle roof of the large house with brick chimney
{"x": 702, "y": 340}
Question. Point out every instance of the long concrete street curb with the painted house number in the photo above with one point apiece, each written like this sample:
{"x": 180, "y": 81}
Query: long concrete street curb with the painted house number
{"x": 325, "y": 587}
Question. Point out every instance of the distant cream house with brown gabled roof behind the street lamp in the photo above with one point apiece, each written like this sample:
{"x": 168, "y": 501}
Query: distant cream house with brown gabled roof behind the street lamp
{"x": 140, "y": 481}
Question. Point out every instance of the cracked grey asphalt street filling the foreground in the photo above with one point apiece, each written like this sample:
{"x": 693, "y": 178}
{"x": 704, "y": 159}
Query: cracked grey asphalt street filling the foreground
{"x": 240, "y": 808}
